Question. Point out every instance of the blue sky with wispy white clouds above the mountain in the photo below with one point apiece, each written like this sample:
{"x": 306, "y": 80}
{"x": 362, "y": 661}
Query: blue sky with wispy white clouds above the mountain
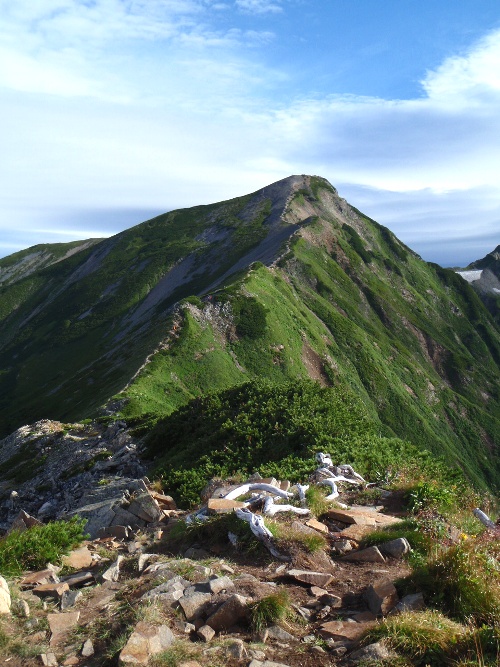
{"x": 112, "y": 111}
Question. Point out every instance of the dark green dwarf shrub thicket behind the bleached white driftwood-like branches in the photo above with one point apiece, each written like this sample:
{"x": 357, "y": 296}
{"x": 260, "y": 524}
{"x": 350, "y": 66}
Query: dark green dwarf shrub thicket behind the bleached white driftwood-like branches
{"x": 275, "y": 429}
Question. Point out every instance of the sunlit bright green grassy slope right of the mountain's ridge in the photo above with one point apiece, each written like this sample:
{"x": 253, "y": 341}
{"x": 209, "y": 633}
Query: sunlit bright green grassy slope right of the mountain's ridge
{"x": 400, "y": 333}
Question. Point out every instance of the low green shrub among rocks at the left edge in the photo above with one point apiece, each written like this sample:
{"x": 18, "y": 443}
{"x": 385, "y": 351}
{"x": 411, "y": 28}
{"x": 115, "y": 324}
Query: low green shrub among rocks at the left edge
{"x": 37, "y": 546}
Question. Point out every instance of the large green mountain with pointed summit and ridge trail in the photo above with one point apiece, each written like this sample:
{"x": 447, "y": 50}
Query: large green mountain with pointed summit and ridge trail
{"x": 288, "y": 282}
